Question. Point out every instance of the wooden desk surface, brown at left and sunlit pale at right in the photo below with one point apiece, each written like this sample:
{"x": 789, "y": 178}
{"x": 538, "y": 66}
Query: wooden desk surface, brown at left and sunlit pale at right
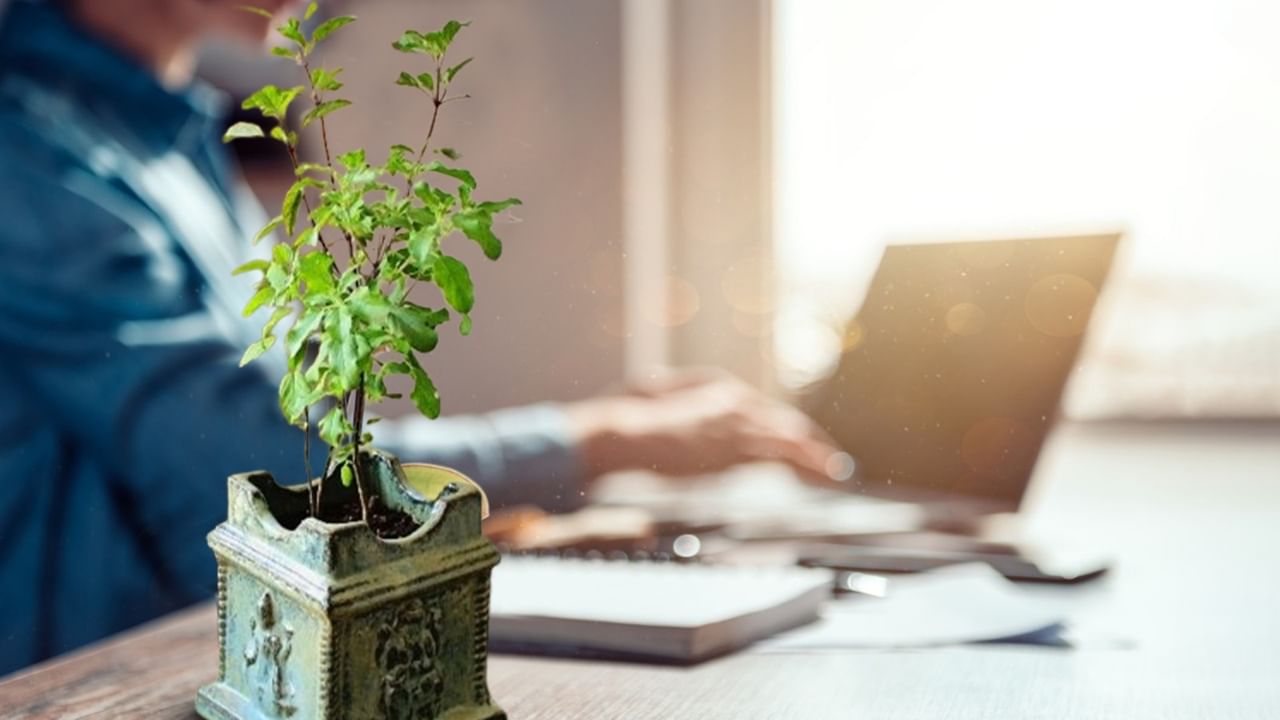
{"x": 1186, "y": 626}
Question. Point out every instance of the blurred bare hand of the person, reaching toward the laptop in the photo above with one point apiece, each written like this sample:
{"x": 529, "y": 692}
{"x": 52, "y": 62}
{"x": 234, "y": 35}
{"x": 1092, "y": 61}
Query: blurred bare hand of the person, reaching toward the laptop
{"x": 697, "y": 422}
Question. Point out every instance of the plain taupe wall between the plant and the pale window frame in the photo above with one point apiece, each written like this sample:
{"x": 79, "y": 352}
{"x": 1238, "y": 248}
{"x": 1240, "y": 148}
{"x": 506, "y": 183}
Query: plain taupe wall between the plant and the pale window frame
{"x": 543, "y": 125}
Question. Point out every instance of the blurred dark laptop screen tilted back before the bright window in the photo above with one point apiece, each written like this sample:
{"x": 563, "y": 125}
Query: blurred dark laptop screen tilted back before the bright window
{"x": 956, "y": 364}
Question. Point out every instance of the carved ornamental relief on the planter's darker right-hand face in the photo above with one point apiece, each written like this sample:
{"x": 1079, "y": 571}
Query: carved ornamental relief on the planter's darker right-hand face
{"x": 409, "y": 658}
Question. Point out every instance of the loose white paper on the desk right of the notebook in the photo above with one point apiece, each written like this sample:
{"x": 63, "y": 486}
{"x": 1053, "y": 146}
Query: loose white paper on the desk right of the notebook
{"x": 952, "y": 605}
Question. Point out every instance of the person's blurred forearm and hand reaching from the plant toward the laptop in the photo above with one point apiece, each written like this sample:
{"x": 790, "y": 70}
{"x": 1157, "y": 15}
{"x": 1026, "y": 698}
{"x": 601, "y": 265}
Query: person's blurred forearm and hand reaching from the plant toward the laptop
{"x": 680, "y": 423}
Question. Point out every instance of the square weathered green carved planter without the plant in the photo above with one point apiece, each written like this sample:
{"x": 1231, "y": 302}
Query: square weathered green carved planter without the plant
{"x": 330, "y": 622}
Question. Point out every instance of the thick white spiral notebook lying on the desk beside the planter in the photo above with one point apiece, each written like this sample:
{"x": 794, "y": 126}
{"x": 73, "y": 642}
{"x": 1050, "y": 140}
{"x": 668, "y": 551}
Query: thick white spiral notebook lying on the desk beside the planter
{"x": 662, "y": 612}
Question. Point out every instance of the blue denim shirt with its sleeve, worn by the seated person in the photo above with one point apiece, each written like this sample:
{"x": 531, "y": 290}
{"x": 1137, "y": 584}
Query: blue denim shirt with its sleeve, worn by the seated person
{"x": 122, "y": 404}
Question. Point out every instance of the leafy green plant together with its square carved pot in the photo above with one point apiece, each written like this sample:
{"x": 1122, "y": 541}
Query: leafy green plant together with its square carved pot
{"x": 364, "y": 593}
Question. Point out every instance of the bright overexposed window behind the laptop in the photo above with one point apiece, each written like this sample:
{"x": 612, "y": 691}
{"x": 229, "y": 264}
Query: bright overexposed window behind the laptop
{"x": 994, "y": 117}
